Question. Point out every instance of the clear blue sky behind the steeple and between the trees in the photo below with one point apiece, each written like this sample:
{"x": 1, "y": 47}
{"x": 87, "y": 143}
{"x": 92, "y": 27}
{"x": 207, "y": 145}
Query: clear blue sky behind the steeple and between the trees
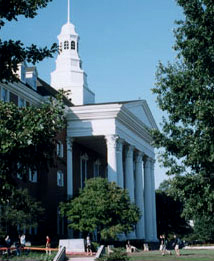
{"x": 121, "y": 42}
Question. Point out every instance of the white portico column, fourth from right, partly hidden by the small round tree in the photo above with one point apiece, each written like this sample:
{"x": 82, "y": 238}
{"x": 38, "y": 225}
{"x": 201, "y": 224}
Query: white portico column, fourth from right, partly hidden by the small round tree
{"x": 129, "y": 179}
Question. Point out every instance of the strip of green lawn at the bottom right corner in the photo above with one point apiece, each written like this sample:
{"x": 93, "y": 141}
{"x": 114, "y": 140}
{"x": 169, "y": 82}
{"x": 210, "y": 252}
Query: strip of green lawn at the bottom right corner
{"x": 191, "y": 255}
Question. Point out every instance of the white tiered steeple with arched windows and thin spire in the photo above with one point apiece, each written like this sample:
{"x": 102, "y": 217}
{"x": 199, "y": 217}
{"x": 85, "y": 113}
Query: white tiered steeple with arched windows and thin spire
{"x": 68, "y": 74}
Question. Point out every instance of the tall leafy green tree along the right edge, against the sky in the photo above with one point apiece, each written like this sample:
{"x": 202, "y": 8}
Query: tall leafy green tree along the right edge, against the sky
{"x": 185, "y": 91}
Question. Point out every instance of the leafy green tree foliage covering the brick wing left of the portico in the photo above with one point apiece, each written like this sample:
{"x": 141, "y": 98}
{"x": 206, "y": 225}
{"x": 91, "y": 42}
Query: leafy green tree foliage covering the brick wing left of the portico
{"x": 27, "y": 140}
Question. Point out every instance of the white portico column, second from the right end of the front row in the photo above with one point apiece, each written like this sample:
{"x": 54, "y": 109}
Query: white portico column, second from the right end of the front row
{"x": 148, "y": 200}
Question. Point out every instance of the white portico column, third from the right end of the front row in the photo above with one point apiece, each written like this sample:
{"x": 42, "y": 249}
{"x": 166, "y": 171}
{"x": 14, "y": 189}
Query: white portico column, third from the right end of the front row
{"x": 140, "y": 229}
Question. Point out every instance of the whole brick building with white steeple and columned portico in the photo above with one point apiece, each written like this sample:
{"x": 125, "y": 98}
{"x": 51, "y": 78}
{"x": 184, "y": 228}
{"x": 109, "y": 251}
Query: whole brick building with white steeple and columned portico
{"x": 111, "y": 140}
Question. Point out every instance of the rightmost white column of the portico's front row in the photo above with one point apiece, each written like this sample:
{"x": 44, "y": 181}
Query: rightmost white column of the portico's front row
{"x": 154, "y": 223}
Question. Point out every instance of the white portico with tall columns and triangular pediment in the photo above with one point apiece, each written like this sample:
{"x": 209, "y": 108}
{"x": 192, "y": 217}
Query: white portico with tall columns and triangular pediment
{"x": 120, "y": 133}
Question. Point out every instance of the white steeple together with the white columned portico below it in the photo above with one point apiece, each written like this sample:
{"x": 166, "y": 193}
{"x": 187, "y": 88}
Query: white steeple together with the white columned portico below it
{"x": 118, "y": 132}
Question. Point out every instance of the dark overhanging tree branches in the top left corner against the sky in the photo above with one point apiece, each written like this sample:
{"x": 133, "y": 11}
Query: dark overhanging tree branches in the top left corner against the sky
{"x": 14, "y": 52}
